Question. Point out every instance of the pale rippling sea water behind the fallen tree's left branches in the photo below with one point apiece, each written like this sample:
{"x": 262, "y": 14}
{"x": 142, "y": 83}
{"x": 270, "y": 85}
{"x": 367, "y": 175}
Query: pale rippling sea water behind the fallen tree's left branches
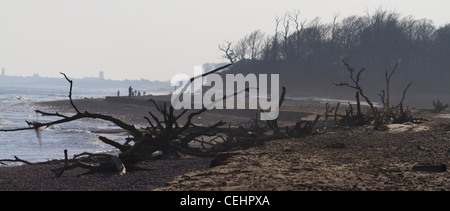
{"x": 18, "y": 105}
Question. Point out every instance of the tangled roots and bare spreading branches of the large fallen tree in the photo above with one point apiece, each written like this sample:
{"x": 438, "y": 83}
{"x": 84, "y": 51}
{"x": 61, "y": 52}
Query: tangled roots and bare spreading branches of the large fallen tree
{"x": 165, "y": 135}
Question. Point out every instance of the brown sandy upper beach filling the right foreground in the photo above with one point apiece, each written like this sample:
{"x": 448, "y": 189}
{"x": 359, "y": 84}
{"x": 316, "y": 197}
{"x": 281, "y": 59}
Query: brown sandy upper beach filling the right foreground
{"x": 336, "y": 161}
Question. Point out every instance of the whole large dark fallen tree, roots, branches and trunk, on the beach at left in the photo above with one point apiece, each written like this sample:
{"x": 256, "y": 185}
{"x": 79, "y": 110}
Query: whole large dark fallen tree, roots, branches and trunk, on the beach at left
{"x": 165, "y": 135}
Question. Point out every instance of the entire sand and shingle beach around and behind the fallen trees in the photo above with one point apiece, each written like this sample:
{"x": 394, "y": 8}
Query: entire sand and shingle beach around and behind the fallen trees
{"x": 338, "y": 159}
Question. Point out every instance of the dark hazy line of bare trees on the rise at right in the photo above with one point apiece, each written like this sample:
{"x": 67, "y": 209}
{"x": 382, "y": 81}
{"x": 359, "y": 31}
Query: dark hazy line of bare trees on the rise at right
{"x": 308, "y": 54}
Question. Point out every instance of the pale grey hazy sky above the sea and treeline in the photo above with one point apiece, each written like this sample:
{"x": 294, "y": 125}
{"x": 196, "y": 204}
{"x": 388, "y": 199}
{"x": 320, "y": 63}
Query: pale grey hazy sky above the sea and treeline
{"x": 155, "y": 40}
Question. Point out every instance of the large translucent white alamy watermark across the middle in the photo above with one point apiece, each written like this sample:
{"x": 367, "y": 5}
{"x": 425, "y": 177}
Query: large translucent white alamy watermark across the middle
{"x": 240, "y": 92}
